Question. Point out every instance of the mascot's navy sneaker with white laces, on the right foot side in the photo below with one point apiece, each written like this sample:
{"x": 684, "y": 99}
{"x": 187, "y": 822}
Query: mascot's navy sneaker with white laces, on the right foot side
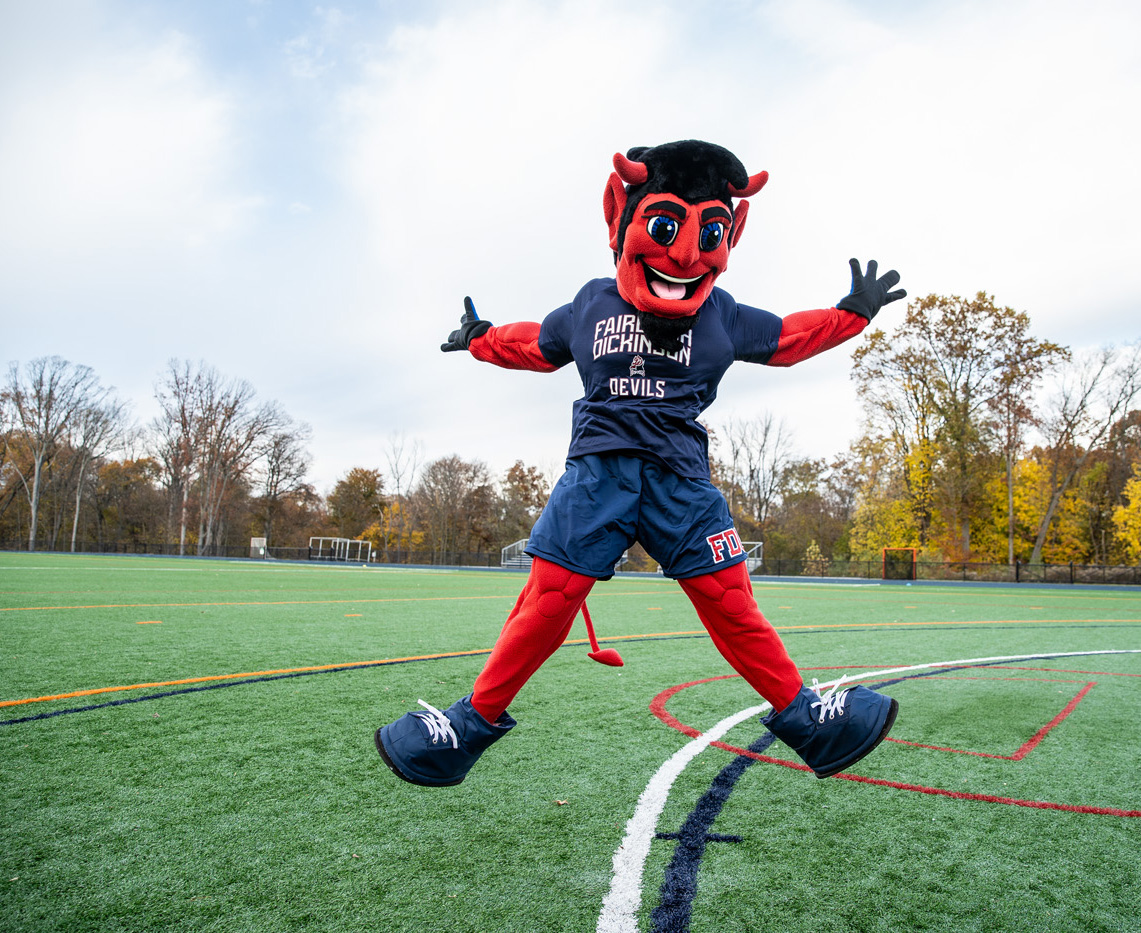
{"x": 835, "y": 731}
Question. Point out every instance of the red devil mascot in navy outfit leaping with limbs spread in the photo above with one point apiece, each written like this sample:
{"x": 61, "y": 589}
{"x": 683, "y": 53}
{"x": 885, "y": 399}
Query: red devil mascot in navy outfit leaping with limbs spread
{"x": 651, "y": 346}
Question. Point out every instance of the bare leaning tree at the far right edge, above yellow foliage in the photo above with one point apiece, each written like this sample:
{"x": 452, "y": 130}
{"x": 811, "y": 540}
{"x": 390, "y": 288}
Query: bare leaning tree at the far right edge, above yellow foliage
{"x": 1091, "y": 399}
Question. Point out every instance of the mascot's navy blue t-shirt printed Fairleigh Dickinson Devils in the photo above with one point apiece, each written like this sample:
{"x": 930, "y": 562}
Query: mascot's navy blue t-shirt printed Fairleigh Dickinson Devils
{"x": 638, "y": 400}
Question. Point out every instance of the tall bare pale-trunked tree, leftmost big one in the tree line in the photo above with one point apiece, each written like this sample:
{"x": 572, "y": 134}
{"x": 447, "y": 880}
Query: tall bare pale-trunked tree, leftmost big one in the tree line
{"x": 44, "y": 401}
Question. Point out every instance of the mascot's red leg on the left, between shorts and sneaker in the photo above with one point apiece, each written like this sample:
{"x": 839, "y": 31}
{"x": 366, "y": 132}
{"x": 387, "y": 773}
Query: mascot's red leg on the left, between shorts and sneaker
{"x": 538, "y": 626}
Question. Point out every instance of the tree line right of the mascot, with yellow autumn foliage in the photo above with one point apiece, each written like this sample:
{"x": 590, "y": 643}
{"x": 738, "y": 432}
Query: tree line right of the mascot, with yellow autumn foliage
{"x": 978, "y": 443}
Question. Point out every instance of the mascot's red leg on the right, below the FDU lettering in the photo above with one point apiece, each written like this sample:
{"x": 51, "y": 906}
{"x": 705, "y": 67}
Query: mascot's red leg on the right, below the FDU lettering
{"x": 725, "y": 604}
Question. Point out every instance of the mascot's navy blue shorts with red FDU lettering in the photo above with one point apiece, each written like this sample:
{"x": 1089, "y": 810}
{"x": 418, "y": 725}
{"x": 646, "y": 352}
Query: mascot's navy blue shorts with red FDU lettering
{"x": 605, "y": 504}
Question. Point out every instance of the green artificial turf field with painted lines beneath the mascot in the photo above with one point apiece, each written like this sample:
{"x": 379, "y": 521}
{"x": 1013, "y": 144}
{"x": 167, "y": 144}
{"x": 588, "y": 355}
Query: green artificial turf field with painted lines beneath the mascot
{"x": 188, "y": 745}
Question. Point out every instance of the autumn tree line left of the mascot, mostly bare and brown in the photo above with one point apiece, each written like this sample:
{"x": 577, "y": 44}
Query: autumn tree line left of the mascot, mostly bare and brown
{"x": 219, "y": 467}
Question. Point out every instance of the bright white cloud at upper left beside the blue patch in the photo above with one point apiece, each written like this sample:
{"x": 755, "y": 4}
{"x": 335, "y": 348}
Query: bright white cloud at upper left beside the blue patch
{"x": 125, "y": 151}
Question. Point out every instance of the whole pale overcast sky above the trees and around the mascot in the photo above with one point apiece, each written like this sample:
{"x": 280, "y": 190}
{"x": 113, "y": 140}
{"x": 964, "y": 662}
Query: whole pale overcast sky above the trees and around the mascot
{"x": 302, "y": 196}
